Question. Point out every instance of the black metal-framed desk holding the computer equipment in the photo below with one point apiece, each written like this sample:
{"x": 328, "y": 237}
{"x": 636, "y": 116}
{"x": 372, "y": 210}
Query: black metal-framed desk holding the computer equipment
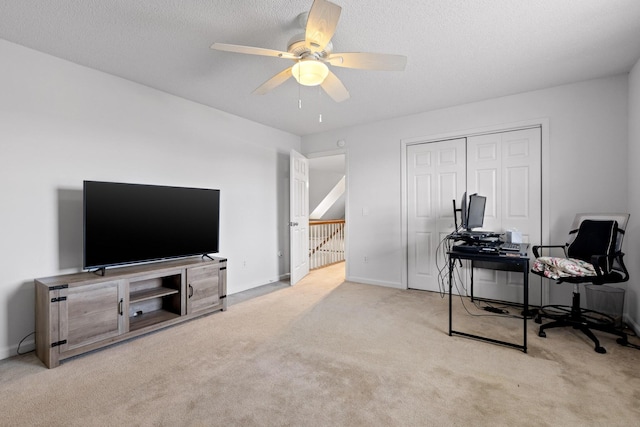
{"x": 493, "y": 262}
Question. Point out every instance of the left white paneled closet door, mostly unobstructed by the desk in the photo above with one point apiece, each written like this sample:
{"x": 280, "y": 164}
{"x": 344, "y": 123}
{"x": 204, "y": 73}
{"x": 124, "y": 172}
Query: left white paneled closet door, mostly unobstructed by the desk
{"x": 435, "y": 177}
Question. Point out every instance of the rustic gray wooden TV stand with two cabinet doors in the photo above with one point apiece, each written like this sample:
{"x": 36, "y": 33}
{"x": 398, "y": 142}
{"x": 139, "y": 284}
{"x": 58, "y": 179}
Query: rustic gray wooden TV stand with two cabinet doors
{"x": 78, "y": 313}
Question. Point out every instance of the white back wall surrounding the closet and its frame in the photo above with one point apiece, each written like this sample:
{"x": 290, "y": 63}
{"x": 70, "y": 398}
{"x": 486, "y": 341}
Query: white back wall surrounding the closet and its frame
{"x": 587, "y": 167}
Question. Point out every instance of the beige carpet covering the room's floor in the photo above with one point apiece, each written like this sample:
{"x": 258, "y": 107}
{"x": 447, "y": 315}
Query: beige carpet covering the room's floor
{"x": 327, "y": 352}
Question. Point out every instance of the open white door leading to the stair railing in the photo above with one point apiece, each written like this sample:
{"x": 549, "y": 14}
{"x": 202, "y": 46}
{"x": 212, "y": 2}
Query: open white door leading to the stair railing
{"x": 299, "y": 216}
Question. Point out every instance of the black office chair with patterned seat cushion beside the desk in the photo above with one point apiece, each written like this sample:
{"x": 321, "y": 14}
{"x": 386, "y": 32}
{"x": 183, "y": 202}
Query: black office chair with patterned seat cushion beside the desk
{"x": 593, "y": 255}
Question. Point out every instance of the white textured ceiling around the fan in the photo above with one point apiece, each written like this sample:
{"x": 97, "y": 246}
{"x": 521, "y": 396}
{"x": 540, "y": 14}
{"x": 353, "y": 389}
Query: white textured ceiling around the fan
{"x": 458, "y": 50}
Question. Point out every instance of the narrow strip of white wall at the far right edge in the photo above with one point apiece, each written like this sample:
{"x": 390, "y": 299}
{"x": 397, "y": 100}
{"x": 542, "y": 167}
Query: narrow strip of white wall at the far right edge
{"x": 632, "y": 242}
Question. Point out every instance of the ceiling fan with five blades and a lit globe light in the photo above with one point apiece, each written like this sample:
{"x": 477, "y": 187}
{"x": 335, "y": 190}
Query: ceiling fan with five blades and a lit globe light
{"x": 312, "y": 51}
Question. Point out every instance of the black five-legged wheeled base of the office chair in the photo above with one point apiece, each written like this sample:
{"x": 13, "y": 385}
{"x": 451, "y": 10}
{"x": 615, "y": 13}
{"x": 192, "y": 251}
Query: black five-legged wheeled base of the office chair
{"x": 582, "y": 319}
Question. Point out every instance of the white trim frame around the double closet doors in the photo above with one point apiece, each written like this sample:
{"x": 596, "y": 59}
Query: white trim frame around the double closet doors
{"x": 543, "y": 123}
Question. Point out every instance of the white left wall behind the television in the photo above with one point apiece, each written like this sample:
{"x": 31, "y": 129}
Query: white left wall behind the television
{"x": 61, "y": 123}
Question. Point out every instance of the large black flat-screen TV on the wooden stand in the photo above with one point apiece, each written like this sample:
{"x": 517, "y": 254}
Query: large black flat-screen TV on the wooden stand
{"x": 129, "y": 223}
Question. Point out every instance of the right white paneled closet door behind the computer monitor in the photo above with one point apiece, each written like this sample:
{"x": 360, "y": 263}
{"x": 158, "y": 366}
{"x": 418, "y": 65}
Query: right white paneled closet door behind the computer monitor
{"x": 506, "y": 168}
